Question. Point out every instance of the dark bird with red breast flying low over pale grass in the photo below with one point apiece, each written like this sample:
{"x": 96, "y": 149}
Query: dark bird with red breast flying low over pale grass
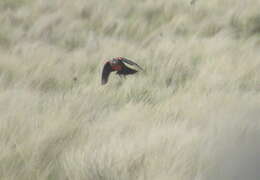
{"x": 117, "y": 64}
